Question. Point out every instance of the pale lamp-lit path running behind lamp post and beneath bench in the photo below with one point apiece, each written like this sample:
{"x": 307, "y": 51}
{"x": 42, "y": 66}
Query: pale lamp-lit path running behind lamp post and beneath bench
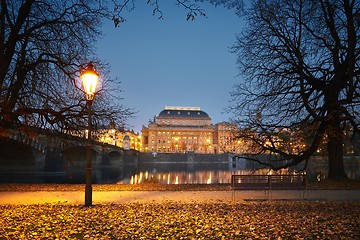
{"x": 77, "y": 197}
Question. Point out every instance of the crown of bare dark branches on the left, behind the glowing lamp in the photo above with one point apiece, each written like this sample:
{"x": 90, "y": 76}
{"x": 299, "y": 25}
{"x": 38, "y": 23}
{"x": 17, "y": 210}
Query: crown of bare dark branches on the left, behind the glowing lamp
{"x": 44, "y": 46}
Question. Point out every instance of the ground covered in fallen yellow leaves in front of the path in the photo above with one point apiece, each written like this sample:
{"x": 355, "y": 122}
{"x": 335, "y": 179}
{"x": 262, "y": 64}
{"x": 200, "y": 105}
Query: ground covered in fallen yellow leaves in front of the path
{"x": 249, "y": 220}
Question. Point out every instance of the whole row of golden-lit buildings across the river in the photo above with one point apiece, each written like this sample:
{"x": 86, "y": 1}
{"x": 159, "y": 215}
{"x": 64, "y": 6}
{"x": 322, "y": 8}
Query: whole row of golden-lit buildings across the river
{"x": 175, "y": 130}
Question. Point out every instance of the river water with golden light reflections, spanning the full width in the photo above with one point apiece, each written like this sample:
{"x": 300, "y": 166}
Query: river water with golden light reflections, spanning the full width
{"x": 189, "y": 172}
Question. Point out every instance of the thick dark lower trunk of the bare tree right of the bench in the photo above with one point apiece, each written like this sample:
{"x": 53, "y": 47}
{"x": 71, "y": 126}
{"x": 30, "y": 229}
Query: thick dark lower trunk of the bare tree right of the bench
{"x": 335, "y": 152}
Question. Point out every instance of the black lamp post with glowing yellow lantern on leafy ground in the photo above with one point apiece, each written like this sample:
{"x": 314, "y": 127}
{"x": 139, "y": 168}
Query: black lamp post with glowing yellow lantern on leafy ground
{"x": 89, "y": 81}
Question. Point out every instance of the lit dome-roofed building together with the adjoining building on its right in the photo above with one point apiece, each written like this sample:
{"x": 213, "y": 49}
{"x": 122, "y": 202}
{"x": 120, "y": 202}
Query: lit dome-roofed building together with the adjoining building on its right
{"x": 188, "y": 129}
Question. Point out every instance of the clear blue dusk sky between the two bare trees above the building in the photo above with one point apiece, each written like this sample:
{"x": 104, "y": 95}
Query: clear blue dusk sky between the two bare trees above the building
{"x": 173, "y": 62}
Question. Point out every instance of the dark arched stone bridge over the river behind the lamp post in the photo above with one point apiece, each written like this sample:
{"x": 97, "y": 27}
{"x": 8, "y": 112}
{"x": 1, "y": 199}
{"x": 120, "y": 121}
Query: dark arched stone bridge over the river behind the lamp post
{"x": 54, "y": 152}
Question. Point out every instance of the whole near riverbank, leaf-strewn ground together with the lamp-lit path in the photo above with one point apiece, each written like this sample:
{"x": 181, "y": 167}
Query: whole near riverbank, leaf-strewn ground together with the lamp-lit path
{"x": 154, "y": 211}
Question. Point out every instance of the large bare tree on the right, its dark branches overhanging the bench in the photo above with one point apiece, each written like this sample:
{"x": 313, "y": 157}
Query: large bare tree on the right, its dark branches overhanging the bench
{"x": 301, "y": 65}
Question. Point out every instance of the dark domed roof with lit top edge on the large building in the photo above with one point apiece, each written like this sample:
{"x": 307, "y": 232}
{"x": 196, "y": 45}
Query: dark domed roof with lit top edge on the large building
{"x": 183, "y": 112}
